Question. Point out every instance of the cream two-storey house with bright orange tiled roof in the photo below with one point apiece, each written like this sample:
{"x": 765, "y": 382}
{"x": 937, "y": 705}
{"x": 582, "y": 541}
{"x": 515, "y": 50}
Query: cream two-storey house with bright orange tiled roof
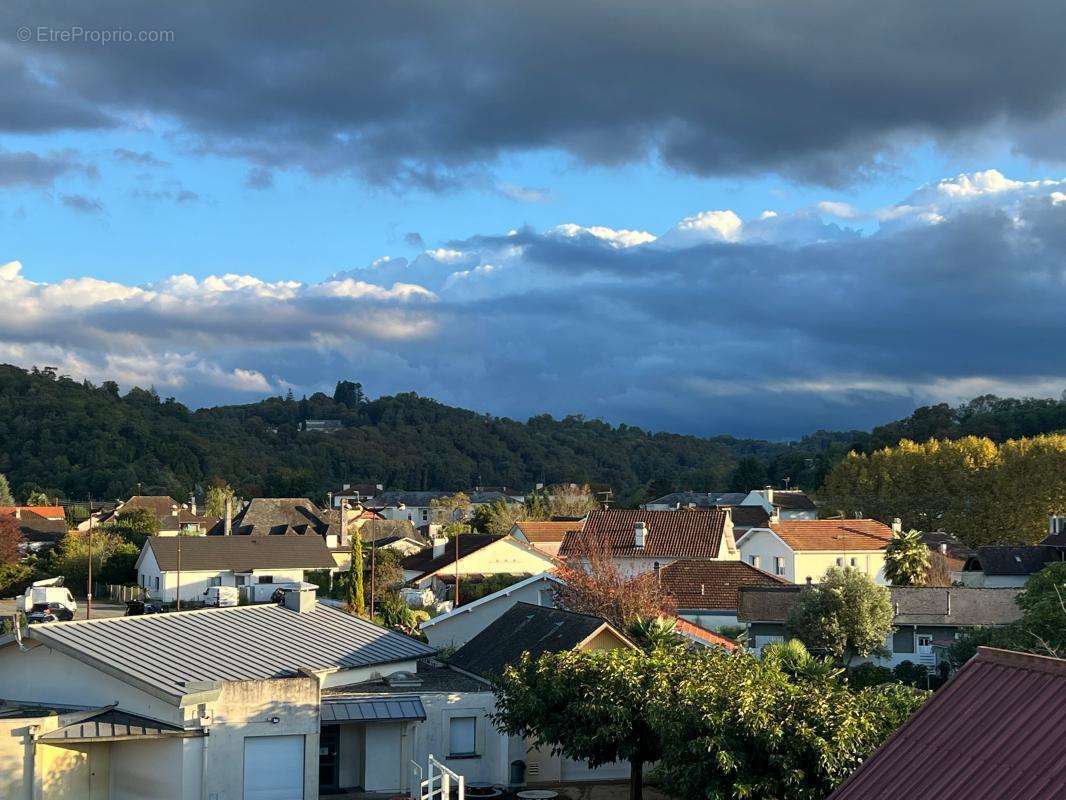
{"x": 801, "y": 551}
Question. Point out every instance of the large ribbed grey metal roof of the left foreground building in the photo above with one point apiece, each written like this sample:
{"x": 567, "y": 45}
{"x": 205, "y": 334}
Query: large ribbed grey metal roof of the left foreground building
{"x": 165, "y": 653}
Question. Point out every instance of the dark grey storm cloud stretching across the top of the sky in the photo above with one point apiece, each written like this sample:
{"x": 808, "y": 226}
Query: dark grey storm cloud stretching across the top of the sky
{"x": 426, "y": 93}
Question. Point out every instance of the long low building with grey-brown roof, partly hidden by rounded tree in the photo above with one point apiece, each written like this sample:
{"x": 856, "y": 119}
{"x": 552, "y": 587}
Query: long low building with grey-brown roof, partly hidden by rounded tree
{"x": 927, "y": 619}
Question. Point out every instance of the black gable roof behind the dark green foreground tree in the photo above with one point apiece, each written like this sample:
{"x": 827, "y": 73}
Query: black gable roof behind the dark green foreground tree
{"x": 527, "y": 629}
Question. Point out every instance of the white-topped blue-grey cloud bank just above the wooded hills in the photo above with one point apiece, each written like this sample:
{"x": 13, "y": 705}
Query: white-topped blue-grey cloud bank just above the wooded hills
{"x": 773, "y": 326}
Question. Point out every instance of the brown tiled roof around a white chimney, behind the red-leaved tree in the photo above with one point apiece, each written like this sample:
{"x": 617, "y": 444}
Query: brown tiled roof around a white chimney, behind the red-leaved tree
{"x": 684, "y": 534}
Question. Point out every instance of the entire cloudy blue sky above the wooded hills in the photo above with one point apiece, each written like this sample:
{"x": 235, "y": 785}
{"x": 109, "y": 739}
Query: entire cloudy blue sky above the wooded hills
{"x": 712, "y": 218}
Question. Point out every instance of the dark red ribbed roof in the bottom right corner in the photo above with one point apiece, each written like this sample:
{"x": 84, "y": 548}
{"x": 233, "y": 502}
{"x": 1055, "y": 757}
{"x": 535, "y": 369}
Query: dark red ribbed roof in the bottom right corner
{"x": 996, "y": 731}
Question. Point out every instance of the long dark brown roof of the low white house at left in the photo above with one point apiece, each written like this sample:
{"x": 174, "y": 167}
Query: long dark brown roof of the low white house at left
{"x": 241, "y": 554}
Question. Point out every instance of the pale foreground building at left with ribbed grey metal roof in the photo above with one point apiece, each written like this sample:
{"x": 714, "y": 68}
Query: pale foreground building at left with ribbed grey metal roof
{"x": 195, "y": 706}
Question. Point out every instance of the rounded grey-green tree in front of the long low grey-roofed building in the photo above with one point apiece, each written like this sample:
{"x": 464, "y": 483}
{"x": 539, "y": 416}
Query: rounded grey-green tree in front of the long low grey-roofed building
{"x": 847, "y": 616}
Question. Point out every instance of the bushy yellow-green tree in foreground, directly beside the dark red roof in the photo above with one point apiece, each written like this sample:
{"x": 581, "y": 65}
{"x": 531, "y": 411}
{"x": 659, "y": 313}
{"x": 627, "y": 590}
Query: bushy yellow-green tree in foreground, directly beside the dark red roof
{"x": 732, "y": 726}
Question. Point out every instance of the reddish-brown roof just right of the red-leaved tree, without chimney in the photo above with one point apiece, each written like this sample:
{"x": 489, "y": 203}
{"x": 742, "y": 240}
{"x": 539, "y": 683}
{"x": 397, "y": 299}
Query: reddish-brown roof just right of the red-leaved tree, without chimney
{"x": 712, "y": 585}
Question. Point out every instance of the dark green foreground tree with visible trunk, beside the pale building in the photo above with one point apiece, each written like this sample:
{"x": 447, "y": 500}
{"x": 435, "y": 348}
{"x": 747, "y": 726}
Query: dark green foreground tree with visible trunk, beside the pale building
{"x": 589, "y": 706}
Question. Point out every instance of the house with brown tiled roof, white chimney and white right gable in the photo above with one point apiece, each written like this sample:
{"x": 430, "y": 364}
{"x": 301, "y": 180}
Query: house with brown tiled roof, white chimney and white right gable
{"x": 643, "y": 541}
